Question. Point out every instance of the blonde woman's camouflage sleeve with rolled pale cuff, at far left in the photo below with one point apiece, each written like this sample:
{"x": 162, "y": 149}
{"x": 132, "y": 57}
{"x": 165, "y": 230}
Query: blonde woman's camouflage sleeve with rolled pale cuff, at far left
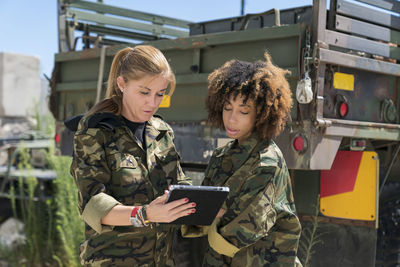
{"x": 90, "y": 171}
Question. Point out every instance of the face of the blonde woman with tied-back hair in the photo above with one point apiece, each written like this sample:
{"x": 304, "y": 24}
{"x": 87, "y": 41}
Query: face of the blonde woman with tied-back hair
{"x": 141, "y": 98}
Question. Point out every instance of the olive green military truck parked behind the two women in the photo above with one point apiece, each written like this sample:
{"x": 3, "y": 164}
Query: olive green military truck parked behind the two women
{"x": 342, "y": 143}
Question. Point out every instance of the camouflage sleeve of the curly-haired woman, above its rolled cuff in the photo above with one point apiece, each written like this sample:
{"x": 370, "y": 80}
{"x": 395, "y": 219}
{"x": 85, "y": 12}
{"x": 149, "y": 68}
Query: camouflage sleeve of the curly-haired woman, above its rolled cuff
{"x": 257, "y": 212}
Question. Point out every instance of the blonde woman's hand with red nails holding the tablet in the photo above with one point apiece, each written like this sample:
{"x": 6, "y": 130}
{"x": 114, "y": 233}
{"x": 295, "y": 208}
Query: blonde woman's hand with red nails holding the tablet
{"x": 159, "y": 211}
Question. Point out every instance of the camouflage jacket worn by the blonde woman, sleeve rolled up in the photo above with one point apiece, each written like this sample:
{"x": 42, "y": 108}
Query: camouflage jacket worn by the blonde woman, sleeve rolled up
{"x": 111, "y": 167}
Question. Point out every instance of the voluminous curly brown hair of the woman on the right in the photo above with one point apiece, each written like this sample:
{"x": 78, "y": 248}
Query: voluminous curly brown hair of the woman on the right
{"x": 262, "y": 82}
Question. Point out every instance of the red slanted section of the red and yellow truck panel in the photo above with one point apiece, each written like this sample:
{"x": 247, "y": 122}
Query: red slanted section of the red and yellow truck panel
{"x": 343, "y": 174}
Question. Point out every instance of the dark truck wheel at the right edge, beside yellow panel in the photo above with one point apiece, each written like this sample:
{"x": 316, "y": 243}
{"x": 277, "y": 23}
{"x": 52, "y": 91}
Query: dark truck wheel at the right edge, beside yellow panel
{"x": 388, "y": 243}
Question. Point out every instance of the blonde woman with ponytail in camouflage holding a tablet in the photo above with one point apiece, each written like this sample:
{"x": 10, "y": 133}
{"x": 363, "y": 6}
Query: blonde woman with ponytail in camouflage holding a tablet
{"x": 124, "y": 160}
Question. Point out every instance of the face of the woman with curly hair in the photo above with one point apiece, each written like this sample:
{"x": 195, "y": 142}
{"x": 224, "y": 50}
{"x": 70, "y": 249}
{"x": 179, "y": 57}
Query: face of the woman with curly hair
{"x": 239, "y": 118}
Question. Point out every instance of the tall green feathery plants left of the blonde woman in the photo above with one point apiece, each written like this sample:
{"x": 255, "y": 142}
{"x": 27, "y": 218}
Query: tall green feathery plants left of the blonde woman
{"x": 53, "y": 226}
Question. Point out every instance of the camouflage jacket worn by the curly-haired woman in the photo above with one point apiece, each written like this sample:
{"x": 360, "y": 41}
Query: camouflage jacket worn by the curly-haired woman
{"x": 260, "y": 220}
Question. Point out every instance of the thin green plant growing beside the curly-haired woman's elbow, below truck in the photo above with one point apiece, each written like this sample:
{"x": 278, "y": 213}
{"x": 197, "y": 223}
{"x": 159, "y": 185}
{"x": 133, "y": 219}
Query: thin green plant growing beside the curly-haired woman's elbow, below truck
{"x": 310, "y": 237}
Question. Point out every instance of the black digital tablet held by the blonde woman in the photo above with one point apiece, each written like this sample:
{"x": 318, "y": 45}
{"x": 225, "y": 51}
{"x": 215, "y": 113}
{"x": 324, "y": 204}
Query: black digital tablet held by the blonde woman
{"x": 208, "y": 199}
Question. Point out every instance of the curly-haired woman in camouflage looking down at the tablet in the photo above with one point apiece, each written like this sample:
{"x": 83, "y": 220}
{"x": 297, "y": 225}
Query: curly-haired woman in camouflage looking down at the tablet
{"x": 257, "y": 225}
